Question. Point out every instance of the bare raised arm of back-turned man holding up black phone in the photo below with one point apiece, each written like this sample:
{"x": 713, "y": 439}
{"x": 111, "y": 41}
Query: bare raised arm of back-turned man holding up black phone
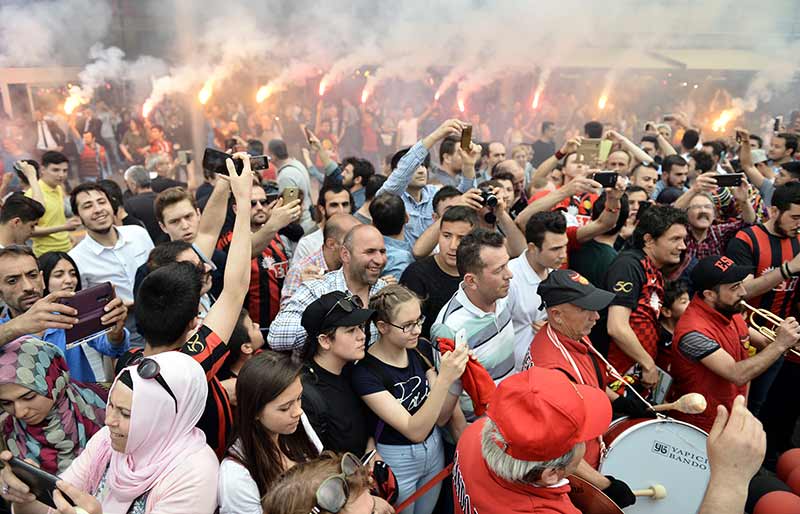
{"x": 225, "y": 312}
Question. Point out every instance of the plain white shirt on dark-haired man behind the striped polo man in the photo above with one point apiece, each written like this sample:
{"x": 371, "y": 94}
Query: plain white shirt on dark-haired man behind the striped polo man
{"x": 524, "y": 302}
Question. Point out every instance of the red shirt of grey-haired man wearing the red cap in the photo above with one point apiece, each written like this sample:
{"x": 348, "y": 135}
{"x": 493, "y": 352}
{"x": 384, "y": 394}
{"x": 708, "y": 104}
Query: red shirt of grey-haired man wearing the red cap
{"x": 479, "y": 491}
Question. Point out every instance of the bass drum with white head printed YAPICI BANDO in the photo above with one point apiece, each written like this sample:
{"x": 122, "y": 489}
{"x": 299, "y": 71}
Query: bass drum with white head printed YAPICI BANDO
{"x": 645, "y": 452}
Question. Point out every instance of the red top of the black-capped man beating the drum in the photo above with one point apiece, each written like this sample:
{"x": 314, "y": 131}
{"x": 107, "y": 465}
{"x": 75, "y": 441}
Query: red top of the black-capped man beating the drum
{"x": 590, "y": 370}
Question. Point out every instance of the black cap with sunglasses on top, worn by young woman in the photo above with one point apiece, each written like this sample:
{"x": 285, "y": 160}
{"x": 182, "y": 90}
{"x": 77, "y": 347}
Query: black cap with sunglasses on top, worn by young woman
{"x": 336, "y": 309}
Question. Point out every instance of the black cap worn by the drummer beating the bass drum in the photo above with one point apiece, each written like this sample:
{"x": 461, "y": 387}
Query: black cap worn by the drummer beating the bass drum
{"x": 568, "y": 286}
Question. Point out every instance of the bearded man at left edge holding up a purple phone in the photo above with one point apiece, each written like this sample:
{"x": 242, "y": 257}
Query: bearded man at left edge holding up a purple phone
{"x": 21, "y": 289}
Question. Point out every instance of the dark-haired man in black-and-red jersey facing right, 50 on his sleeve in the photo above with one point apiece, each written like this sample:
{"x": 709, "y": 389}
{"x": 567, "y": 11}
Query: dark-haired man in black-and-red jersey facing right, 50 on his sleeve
{"x": 636, "y": 278}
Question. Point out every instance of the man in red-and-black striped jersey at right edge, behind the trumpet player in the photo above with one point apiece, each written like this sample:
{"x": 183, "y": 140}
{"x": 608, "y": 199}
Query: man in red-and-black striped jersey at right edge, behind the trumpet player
{"x": 773, "y": 250}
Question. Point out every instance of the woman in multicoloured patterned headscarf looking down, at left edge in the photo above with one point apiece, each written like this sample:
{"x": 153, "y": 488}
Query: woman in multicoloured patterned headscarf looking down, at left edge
{"x": 47, "y": 418}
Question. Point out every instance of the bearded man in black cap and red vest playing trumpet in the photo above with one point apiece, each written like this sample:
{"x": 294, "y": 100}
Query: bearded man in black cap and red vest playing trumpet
{"x": 711, "y": 356}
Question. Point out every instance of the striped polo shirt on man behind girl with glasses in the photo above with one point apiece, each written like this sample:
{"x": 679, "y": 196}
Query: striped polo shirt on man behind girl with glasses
{"x": 490, "y": 335}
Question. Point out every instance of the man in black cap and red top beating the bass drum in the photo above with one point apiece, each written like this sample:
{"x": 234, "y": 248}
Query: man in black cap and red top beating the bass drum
{"x": 563, "y": 344}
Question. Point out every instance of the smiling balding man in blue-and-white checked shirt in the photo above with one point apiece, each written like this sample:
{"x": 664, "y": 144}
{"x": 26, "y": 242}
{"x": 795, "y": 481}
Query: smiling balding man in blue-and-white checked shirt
{"x": 363, "y": 255}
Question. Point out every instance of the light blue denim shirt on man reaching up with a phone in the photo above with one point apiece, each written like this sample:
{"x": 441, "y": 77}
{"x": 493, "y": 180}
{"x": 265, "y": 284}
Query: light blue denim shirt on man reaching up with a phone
{"x": 420, "y": 213}
